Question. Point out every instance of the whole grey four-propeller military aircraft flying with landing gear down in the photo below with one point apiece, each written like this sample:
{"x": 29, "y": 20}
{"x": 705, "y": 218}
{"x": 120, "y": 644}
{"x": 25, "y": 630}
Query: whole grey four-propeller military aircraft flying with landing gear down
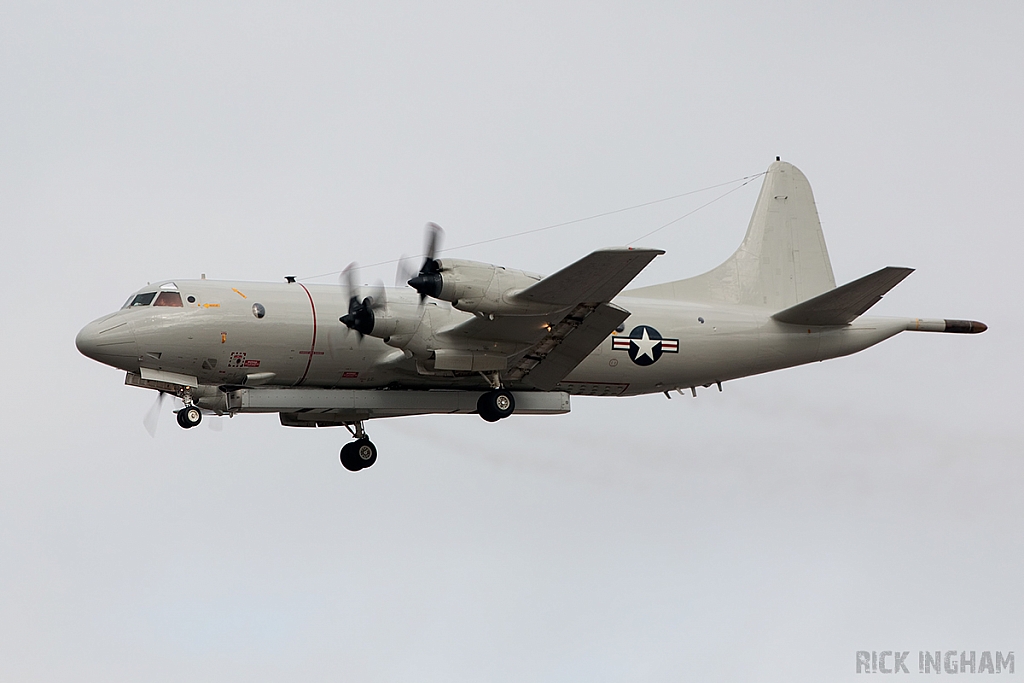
{"x": 473, "y": 337}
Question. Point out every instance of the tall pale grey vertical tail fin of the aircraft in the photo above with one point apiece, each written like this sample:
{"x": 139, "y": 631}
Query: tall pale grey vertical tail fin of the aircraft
{"x": 782, "y": 262}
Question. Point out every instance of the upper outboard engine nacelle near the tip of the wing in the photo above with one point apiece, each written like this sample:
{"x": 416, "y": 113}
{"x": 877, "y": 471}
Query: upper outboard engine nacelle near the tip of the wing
{"x": 478, "y": 288}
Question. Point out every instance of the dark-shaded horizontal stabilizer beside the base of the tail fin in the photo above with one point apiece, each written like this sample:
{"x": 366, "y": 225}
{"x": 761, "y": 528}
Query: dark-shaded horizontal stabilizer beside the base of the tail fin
{"x": 843, "y": 305}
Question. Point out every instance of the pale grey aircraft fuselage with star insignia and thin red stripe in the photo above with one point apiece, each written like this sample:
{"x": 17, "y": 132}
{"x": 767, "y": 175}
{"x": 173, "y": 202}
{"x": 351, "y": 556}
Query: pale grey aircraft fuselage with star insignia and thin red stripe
{"x": 218, "y": 337}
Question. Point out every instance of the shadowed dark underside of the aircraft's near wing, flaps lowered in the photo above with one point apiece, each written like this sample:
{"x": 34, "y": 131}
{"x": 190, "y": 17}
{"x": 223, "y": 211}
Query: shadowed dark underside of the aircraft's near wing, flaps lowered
{"x": 583, "y": 316}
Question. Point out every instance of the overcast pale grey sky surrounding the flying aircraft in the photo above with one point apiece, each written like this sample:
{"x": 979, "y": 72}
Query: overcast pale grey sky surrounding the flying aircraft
{"x": 767, "y": 533}
